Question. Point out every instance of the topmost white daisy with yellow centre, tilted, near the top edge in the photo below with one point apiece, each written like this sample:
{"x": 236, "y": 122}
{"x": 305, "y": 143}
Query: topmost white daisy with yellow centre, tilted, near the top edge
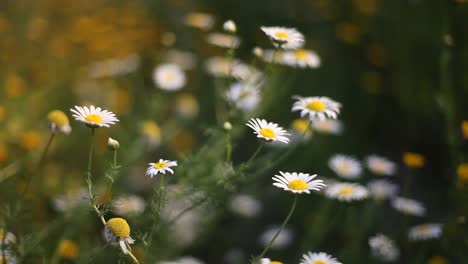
{"x": 286, "y": 38}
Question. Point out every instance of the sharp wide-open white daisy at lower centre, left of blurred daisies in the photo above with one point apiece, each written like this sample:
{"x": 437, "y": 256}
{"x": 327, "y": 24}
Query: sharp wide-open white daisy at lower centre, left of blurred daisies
{"x": 297, "y": 182}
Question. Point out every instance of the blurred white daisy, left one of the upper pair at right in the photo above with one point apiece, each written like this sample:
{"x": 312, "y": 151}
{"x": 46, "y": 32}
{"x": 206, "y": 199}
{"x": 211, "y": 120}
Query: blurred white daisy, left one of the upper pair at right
{"x": 345, "y": 166}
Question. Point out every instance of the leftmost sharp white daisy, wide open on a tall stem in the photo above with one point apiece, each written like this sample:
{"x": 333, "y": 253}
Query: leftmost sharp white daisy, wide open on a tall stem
{"x": 94, "y": 116}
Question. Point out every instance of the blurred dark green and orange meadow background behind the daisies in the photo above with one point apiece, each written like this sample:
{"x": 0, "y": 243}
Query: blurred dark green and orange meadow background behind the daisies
{"x": 397, "y": 67}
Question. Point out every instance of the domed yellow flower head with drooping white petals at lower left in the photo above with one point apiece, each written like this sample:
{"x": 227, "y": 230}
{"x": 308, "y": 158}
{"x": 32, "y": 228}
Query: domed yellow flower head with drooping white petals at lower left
{"x": 118, "y": 231}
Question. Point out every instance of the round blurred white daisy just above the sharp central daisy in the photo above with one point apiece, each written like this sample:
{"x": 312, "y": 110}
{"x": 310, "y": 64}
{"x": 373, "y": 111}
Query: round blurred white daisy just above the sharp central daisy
{"x": 244, "y": 96}
